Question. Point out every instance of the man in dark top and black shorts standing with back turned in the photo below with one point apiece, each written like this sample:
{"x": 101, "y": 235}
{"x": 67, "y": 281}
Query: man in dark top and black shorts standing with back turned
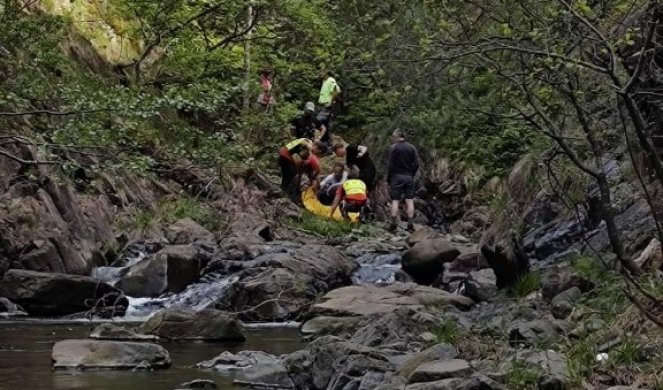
{"x": 403, "y": 166}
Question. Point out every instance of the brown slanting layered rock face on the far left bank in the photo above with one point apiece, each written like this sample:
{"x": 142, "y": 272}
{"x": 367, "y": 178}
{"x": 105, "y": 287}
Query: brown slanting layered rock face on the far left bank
{"x": 48, "y": 227}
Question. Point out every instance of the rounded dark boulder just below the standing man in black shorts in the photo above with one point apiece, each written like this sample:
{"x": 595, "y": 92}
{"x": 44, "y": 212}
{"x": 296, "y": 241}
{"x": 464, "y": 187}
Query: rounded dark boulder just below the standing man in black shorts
{"x": 425, "y": 260}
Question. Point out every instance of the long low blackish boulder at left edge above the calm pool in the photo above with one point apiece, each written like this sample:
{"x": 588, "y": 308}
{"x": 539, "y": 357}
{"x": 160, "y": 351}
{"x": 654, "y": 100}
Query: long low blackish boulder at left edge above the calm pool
{"x": 47, "y": 294}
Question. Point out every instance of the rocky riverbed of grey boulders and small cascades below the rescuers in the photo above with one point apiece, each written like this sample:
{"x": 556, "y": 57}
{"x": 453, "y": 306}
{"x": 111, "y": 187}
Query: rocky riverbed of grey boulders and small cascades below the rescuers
{"x": 376, "y": 310}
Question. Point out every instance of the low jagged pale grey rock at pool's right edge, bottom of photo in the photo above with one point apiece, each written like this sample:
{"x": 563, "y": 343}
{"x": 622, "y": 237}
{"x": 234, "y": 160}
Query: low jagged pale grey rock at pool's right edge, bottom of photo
{"x": 251, "y": 368}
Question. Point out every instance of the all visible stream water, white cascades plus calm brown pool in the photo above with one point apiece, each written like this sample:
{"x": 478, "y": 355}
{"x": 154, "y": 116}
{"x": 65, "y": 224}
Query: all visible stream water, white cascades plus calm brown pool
{"x": 25, "y": 345}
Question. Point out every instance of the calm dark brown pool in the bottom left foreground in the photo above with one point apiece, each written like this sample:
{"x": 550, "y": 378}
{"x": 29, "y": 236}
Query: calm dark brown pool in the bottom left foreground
{"x": 25, "y": 358}
